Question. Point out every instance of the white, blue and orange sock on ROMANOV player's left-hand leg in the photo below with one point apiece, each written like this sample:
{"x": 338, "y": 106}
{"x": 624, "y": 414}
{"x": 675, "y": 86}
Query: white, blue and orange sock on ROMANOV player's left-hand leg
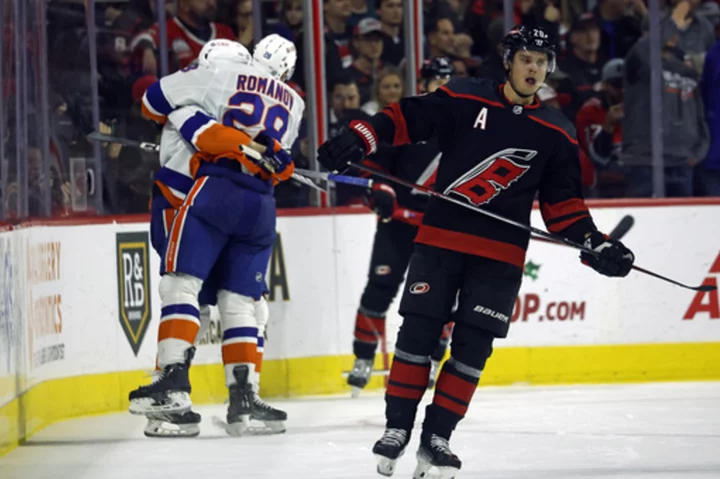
{"x": 179, "y": 317}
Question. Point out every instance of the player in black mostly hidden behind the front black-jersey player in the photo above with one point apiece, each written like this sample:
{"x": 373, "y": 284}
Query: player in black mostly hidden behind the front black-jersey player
{"x": 393, "y": 242}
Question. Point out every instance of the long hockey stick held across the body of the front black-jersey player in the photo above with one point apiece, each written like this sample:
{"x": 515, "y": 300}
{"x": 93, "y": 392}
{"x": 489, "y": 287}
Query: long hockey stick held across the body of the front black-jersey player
{"x": 544, "y": 234}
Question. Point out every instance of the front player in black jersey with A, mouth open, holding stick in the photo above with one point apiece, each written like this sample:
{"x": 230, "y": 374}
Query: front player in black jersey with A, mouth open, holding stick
{"x": 500, "y": 147}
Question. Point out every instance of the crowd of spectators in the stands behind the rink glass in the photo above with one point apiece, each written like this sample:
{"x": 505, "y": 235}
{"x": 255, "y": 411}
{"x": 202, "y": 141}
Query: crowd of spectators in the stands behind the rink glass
{"x": 602, "y": 82}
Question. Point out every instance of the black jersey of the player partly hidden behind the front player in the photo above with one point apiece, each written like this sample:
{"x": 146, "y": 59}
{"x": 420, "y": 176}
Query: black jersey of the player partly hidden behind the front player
{"x": 415, "y": 162}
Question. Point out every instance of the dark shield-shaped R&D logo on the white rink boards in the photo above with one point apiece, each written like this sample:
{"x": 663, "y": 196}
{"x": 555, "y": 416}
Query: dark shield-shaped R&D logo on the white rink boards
{"x": 132, "y": 259}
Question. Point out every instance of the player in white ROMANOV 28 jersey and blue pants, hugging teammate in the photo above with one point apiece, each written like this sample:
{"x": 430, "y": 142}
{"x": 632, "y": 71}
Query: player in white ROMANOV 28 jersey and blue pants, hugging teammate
{"x": 225, "y": 227}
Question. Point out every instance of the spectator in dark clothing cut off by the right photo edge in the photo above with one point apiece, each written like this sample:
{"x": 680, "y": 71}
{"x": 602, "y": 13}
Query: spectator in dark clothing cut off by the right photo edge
{"x": 707, "y": 174}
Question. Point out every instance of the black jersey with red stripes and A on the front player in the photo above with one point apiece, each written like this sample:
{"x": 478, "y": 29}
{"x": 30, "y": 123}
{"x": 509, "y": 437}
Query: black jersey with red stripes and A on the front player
{"x": 497, "y": 156}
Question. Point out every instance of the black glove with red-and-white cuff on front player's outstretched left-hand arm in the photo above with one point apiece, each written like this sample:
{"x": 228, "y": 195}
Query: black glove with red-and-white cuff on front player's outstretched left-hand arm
{"x": 350, "y": 146}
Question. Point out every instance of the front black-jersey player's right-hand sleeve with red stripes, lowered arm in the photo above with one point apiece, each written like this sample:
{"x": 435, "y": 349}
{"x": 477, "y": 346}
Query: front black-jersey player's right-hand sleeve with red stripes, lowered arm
{"x": 561, "y": 201}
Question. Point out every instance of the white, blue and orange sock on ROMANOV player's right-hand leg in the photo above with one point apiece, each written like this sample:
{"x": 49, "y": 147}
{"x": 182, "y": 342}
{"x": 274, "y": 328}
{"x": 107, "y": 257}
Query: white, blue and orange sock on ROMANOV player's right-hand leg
{"x": 240, "y": 333}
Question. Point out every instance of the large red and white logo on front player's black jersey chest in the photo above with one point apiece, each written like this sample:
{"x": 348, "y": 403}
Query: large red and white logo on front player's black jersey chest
{"x": 491, "y": 176}
